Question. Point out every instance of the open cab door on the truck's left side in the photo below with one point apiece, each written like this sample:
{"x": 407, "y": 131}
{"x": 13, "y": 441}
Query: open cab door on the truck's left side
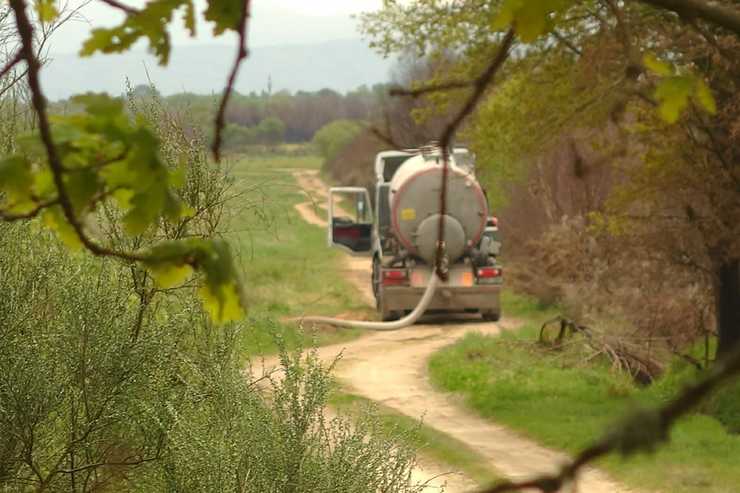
{"x": 351, "y": 220}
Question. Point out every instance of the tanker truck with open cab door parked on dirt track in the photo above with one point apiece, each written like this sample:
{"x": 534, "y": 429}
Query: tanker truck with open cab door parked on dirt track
{"x": 401, "y": 232}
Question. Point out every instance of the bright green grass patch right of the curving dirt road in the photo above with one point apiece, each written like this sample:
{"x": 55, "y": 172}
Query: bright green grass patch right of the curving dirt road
{"x": 563, "y": 402}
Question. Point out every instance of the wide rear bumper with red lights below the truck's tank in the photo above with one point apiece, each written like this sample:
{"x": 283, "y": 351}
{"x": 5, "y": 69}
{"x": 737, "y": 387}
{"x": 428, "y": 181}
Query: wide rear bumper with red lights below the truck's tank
{"x": 481, "y": 297}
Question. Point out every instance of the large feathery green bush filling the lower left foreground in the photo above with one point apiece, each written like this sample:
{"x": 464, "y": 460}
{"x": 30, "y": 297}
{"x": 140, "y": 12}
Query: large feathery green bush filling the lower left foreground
{"x": 87, "y": 404}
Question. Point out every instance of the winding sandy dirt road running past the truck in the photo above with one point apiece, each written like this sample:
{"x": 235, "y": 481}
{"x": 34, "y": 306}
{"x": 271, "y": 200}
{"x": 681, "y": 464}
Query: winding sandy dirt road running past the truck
{"x": 390, "y": 368}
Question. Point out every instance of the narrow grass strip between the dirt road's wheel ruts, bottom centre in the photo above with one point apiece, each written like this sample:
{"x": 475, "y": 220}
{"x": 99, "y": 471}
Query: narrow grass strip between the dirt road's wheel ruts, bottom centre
{"x": 430, "y": 443}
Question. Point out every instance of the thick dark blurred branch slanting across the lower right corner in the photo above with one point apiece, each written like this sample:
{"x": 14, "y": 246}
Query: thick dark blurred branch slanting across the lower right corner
{"x": 642, "y": 431}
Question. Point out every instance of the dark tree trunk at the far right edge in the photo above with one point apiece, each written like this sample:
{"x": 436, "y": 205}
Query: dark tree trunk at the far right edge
{"x": 728, "y": 305}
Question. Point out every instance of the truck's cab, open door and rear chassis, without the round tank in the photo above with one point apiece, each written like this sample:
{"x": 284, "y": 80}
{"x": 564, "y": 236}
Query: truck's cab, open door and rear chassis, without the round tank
{"x": 364, "y": 226}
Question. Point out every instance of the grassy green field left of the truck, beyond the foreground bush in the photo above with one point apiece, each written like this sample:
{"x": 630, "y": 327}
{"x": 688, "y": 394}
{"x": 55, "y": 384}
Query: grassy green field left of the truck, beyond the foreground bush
{"x": 288, "y": 269}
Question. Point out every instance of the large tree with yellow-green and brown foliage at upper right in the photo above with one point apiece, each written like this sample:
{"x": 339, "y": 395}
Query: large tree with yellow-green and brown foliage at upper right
{"x": 668, "y": 69}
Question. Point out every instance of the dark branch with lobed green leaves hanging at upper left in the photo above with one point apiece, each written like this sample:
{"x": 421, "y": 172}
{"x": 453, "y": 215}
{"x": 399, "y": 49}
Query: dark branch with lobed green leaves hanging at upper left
{"x": 102, "y": 154}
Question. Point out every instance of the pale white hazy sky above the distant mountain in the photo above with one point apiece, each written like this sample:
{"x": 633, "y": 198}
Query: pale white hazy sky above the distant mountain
{"x": 273, "y": 22}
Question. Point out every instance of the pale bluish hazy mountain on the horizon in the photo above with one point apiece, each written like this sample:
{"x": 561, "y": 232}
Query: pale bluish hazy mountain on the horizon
{"x": 340, "y": 65}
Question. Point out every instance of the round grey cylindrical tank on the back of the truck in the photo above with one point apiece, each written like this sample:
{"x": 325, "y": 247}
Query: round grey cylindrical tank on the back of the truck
{"x": 414, "y": 201}
